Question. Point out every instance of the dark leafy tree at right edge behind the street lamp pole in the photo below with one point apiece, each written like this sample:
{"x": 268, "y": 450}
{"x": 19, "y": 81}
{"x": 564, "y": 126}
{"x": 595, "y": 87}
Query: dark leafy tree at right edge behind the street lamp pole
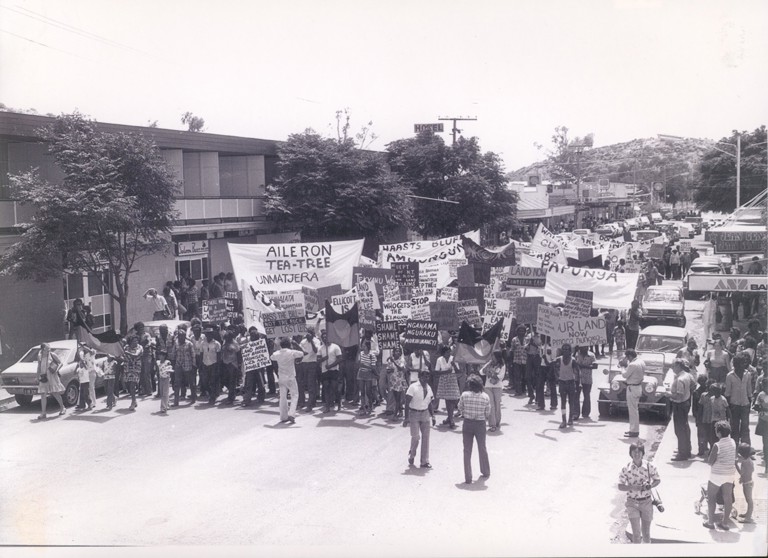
{"x": 716, "y": 173}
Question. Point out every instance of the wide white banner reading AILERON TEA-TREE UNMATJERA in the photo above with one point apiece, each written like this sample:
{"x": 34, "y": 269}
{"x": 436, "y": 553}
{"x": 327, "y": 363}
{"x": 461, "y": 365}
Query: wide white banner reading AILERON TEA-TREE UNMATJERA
{"x": 282, "y": 267}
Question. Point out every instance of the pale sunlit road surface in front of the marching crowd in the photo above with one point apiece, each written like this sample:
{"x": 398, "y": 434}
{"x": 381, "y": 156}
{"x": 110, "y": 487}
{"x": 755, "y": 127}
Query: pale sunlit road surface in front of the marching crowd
{"x": 329, "y": 485}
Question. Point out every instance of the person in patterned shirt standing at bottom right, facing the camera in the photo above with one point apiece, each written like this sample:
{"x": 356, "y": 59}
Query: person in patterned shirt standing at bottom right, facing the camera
{"x": 637, "y": 478}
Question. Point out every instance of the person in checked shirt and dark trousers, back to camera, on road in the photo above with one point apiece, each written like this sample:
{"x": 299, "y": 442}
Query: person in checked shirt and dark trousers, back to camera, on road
{"x": 475, "y": 407}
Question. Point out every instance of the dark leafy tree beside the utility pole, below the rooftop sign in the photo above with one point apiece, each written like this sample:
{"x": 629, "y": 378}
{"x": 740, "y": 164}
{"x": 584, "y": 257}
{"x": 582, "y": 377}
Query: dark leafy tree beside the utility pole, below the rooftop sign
{"x": 461, "y": 173}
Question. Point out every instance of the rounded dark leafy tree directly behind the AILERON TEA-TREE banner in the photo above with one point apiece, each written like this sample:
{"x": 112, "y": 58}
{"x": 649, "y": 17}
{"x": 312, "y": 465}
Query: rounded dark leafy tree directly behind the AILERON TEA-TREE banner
{"x": 332, "y": 189}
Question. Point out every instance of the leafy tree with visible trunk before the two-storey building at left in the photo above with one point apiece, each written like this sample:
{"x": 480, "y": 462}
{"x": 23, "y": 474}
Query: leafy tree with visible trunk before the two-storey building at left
{"x": 113, "y": 207}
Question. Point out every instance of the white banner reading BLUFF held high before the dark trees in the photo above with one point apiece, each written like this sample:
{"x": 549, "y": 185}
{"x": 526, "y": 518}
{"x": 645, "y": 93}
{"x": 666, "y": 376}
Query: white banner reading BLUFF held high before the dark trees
{"x": 429, "y": 253}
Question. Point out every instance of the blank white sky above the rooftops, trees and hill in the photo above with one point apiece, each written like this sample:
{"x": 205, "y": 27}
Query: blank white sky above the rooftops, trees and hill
{"x": 620, "y": 69}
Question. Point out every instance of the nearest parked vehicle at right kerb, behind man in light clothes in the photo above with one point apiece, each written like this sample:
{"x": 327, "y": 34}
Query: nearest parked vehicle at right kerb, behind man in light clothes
{"x": 657, "y": 346}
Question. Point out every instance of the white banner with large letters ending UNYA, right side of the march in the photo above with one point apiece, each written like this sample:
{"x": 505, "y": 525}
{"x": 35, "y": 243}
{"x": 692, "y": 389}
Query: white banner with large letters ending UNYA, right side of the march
{"x": 610, "y": 289}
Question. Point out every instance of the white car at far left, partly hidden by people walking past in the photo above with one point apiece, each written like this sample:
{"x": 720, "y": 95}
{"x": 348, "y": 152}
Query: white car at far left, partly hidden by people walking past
{"x": 20, "y": 379}
